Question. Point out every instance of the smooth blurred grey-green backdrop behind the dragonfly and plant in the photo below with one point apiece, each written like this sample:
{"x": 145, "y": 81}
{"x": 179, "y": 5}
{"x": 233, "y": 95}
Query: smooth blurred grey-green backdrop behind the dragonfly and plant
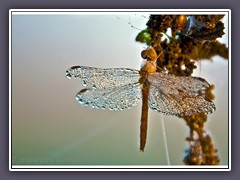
{"x": 49, "y": 127}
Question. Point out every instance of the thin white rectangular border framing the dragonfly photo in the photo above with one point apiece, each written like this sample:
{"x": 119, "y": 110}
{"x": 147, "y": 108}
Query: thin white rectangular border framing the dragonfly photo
{"x": 105, "y": 12}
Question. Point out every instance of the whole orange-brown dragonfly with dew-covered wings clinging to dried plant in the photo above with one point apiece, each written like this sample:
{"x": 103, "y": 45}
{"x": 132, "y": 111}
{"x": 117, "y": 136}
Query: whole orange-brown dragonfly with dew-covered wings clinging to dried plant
{"x": 122, "y": 88}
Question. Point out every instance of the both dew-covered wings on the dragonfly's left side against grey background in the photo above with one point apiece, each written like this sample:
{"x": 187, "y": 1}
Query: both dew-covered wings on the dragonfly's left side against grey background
{"x": 113, "y": 88}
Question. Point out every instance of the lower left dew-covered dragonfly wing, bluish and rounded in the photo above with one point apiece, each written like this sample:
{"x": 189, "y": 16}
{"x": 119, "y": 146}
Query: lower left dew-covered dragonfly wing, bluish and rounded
{"x": 116, "y": 98}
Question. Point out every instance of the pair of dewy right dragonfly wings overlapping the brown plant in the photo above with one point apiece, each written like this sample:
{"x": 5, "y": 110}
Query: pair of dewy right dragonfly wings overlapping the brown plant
{"x": 178, "y": 96}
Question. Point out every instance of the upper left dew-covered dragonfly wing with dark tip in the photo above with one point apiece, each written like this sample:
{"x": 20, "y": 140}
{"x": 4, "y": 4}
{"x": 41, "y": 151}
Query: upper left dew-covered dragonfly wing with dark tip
{"x": 98, "y": 78}
